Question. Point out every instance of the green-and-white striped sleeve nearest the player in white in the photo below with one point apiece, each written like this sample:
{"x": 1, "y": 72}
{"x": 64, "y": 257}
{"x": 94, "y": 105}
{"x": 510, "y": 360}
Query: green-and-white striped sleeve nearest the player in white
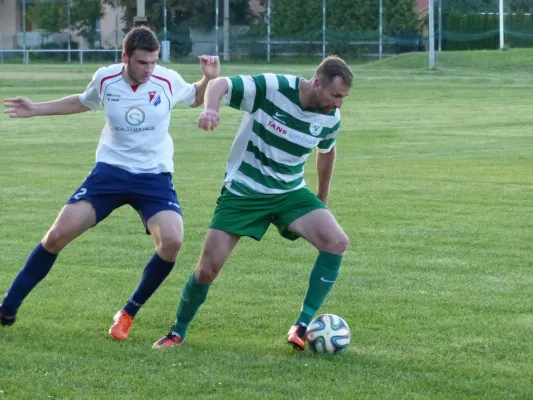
{"x": 246, "y": 93}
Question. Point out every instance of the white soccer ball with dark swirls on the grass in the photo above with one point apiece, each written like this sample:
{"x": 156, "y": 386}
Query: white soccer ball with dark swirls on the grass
{"x": 328, "y": 333}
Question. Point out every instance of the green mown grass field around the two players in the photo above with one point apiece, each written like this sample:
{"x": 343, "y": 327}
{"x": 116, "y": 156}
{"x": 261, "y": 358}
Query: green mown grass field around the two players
{"x": 433, "y": 184}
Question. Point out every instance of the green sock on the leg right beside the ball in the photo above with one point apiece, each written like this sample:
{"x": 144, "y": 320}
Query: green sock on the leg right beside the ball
{"x": 323, "y": 276}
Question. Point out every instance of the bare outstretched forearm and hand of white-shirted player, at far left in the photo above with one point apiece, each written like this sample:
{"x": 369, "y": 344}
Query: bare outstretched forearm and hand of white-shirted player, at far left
{"x": 21, "y": 107}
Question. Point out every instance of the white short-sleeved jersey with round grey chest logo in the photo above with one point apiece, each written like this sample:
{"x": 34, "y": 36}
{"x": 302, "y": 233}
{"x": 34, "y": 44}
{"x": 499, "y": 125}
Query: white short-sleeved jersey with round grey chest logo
{"x": 135, "y": 136}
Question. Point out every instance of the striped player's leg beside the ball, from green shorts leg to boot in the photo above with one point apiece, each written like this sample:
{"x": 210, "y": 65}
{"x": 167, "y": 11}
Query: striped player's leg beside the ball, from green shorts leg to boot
{"x": 307, "y": 217}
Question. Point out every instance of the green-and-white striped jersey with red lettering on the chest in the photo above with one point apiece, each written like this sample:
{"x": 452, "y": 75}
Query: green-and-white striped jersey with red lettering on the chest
{"x": 276, "y": 135}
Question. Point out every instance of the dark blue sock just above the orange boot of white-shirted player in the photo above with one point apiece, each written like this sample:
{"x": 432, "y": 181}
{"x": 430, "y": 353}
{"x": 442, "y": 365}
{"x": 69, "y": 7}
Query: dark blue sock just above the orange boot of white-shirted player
{"x": 154, "y": 274}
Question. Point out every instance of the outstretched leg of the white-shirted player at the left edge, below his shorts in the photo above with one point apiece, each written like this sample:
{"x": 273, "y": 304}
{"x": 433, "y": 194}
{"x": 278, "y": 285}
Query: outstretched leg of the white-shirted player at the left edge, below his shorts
{"x": 73, "y": 220}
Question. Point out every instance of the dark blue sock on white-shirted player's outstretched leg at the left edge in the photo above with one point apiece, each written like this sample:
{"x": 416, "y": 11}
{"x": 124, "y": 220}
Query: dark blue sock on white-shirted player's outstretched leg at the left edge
{"x": 36, "y": 268}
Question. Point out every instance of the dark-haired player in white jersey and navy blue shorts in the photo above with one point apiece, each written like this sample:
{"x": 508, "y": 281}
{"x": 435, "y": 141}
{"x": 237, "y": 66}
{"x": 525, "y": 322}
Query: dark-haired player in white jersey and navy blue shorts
{"x": 133, "y": 166}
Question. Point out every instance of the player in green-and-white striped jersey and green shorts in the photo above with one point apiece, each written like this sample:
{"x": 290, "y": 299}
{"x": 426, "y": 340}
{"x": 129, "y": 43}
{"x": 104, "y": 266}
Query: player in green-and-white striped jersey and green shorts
{"x": 285, "y": 118}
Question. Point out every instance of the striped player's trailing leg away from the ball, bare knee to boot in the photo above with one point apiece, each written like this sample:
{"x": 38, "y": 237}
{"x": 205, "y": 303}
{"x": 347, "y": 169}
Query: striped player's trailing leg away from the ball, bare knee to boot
{"x": 217, "y": 248}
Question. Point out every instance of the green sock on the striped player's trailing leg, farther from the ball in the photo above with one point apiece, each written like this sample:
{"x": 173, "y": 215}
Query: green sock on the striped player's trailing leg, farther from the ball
{"x": 192, "y": 297}
